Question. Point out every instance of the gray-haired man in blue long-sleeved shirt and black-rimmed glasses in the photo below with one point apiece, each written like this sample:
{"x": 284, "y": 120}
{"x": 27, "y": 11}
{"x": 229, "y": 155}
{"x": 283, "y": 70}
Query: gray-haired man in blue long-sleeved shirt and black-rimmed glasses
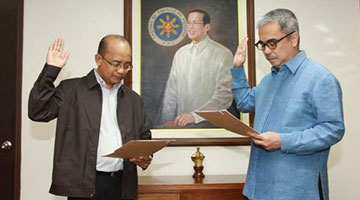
{"x": 298, "y": 113}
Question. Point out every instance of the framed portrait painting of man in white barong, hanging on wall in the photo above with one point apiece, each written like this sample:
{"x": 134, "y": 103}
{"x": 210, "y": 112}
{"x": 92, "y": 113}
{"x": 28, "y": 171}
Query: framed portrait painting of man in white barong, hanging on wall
{"x": 162, "y": 30}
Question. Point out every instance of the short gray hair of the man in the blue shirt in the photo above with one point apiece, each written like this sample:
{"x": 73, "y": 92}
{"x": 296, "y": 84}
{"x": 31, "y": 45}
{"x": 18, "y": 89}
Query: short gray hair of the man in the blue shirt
{"x": 286, "y": 19}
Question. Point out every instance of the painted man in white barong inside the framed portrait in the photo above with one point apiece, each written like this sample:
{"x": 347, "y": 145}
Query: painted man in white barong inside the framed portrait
{"x": 199, "y": 78}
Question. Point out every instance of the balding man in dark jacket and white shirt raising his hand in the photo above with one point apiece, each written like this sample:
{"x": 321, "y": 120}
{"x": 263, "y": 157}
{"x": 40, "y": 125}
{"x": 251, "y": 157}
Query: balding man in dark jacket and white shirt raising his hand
{"x": 95, "y": 114}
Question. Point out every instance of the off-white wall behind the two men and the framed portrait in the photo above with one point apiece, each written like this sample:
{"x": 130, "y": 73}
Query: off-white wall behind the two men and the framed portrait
{"x": 329, "y": 33}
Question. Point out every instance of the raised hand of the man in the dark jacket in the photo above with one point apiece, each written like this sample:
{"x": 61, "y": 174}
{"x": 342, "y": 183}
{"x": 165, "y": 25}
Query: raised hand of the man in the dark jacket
{"x": 56, "y": 55}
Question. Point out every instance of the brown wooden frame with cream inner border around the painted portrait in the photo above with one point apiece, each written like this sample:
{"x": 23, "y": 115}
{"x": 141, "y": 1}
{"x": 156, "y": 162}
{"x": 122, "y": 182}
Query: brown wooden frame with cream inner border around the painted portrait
{"x": 191, "y": 137}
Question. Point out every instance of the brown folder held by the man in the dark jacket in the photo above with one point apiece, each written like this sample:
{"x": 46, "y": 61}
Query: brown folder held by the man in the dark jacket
{"x": 136, "y": 148}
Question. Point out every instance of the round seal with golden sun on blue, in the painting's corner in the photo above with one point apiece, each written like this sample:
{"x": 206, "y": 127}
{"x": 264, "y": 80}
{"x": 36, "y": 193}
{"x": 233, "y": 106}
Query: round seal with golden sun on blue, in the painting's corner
{"x": 167, "y": 26}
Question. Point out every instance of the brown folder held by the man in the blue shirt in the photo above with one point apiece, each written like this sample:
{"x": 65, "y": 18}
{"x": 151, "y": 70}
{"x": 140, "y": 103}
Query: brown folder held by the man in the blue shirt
{"x": 224, "y": 119}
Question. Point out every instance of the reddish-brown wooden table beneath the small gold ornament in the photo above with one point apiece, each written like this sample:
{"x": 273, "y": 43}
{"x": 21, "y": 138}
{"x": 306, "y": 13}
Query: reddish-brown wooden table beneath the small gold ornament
{"x": 215, "y": 187}
